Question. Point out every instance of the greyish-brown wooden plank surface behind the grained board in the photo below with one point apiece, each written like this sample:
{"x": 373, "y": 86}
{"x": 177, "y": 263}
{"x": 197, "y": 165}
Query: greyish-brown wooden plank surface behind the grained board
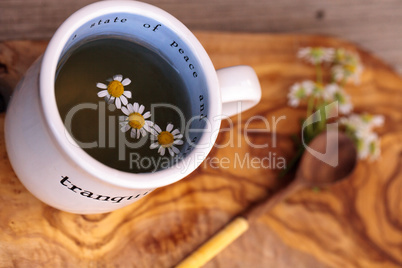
{"x": 374, "y": 25}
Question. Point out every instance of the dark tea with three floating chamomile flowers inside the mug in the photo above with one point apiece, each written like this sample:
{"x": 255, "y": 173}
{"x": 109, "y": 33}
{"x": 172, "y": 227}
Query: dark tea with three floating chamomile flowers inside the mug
{"x": 105, "y": 91}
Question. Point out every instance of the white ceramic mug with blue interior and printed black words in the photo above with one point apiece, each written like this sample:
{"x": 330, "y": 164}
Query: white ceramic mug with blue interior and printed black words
{"x": 60, "y": 173}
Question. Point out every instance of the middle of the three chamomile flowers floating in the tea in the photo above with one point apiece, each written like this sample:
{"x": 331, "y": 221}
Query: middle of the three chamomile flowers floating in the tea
{"x": 136, "y": 120}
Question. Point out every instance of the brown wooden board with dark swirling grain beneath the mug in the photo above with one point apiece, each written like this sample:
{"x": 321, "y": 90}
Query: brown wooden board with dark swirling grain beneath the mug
{"x": 355, "y": 223}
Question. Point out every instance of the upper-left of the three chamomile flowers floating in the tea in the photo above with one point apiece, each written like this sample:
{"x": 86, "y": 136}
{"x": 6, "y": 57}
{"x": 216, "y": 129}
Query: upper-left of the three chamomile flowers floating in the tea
{"x": 114, "y": 91}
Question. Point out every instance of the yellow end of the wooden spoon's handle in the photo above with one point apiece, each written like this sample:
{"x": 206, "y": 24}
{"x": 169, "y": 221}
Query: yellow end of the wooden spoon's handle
{"x": 215, "y": 244}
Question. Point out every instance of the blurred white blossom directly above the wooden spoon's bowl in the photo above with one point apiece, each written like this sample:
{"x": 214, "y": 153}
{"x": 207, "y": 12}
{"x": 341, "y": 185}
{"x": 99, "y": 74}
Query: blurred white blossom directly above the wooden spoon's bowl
{"x": 333, "y": 92}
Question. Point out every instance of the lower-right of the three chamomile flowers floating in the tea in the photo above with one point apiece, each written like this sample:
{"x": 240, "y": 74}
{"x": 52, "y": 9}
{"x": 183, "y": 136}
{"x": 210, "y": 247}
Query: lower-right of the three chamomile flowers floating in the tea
{"x": 166, "y": 139}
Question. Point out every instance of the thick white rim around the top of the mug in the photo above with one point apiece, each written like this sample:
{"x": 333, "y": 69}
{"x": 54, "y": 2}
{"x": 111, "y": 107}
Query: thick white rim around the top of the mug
{"x": 55, "y": 123}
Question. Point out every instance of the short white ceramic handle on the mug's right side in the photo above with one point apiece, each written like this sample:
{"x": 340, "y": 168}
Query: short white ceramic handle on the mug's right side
{"x": 240, "y": 89}
